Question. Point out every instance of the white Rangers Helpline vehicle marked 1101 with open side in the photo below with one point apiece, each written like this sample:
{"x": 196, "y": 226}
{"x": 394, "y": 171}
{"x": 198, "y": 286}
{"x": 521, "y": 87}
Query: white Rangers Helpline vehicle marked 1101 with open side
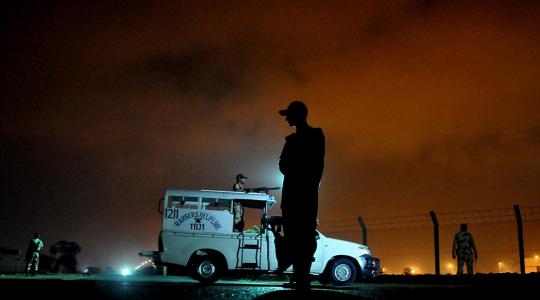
{"x": 197, "y": 233}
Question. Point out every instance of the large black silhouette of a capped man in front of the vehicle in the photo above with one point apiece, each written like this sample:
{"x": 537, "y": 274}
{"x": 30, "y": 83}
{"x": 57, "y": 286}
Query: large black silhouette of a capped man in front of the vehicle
{"x": 302, "y": 164}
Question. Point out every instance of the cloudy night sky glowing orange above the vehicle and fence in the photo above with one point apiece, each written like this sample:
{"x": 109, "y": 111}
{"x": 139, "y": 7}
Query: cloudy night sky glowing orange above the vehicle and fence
{"x": 426, "y": 105}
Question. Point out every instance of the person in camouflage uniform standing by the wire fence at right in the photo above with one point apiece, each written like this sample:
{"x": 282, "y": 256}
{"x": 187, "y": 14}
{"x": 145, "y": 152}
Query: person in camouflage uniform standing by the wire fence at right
{"x": 465, "y": 250}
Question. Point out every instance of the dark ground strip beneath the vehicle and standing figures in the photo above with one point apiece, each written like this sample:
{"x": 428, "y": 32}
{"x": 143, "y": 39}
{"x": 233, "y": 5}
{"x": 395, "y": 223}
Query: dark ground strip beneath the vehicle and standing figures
{"x": 491, "y": 286}
